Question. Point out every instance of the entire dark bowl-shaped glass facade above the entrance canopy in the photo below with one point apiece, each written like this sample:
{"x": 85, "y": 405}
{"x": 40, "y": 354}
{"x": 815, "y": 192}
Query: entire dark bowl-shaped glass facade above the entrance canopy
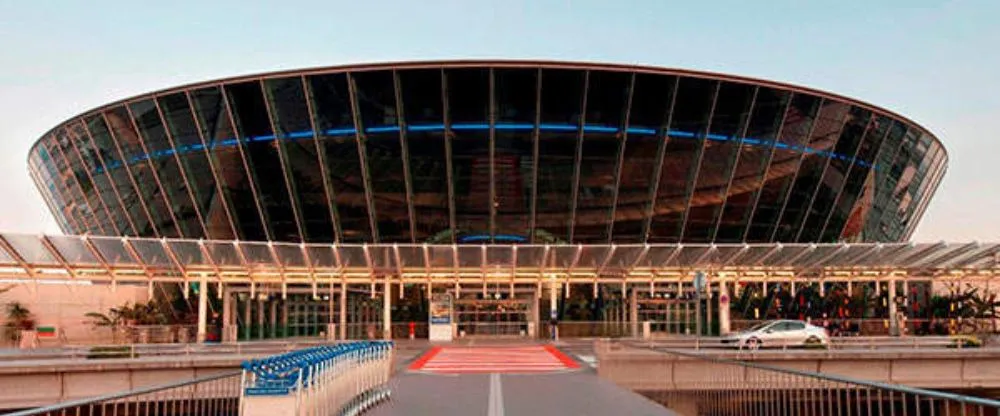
{"x": 491, "y": 152}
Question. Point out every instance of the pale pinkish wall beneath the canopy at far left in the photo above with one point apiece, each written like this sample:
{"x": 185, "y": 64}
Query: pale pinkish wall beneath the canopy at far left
{"x": 64, "y": 306}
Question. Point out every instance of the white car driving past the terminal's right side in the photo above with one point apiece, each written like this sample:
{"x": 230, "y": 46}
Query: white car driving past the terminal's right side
{"x": 778, "y": 334}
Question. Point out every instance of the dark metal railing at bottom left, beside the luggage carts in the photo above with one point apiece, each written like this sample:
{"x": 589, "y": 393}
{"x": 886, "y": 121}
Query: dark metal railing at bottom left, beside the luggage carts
{"x": 217, "y": 395}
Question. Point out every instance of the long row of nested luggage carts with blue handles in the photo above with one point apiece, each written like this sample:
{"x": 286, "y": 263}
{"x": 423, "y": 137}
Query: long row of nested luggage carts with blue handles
{"x": 336, "y": 379}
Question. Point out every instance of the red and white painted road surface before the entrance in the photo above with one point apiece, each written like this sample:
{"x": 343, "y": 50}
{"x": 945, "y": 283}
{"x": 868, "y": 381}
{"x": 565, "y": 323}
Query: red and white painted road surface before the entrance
{"x": 494, "y": 359}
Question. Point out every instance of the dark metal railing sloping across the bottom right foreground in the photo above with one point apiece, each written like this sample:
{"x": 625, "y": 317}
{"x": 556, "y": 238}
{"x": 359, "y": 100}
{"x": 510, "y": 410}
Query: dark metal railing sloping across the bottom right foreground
{"x": 731, "y": 387}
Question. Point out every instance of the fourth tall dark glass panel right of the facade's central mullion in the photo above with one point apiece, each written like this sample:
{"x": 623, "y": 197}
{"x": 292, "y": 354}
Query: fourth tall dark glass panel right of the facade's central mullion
{"x": 651, "y": 99}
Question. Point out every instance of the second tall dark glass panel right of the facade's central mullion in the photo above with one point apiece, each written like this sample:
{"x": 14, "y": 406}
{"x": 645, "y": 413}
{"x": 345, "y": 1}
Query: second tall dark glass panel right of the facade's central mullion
{"x": 561, "y": 112}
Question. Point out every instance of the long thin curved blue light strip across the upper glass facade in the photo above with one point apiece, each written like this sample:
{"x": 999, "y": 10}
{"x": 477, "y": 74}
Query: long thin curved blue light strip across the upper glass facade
{"x": 546, "y": 127}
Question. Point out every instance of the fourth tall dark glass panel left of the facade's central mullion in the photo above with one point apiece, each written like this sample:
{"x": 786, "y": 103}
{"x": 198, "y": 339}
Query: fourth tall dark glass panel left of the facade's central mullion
{"x": 331, "y": 102}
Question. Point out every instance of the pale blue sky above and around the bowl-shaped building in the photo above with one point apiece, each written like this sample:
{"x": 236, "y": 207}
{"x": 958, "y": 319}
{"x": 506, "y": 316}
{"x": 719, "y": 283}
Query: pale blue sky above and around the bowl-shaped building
{"x": 935, "y": 62}
